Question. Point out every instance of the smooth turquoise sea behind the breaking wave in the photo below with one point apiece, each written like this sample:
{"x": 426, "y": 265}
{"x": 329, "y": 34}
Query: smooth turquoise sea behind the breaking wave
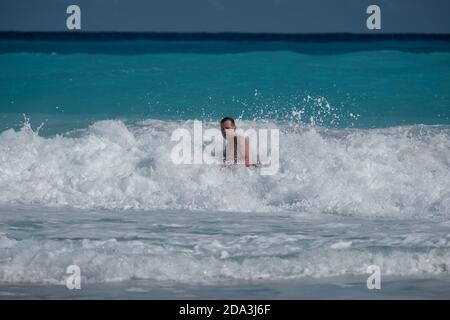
{"x": 406, "y": 84}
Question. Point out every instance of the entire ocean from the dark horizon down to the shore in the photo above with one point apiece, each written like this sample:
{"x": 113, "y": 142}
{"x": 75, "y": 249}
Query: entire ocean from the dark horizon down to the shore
{"x": 86, "y": 176}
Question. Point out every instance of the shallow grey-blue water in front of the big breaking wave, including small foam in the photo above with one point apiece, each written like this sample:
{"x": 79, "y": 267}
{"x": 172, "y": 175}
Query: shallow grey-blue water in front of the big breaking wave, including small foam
{"x": 176, "y": 254}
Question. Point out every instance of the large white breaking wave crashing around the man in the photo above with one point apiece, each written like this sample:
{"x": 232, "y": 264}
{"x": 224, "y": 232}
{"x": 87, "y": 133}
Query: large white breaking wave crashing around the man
{"x": 398, "y": 172}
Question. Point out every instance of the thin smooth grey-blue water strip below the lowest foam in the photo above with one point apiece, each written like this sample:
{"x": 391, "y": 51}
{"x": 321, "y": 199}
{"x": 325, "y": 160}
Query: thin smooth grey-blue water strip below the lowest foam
{"x": 333, "y": 288}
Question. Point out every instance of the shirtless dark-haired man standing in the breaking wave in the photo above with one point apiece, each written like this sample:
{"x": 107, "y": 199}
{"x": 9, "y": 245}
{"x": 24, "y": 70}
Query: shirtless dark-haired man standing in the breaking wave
{"x": 235, "y": 143}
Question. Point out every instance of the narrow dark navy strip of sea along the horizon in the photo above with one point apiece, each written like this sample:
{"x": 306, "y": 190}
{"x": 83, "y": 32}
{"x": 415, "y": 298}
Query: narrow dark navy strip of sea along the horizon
{"x": 221, "y": 36}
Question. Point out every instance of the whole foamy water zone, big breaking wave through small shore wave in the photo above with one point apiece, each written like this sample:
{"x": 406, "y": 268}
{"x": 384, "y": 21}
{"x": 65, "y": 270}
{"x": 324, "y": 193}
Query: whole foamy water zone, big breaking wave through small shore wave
{"x": 319, "y": 216}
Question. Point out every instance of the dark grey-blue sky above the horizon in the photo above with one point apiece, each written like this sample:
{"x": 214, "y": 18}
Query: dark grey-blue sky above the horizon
{"x": 286, "y": 16}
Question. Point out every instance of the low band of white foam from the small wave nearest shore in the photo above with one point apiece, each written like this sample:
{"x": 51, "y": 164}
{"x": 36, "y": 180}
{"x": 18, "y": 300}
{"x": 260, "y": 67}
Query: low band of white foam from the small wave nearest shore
{"x": 45, "y": 261}
